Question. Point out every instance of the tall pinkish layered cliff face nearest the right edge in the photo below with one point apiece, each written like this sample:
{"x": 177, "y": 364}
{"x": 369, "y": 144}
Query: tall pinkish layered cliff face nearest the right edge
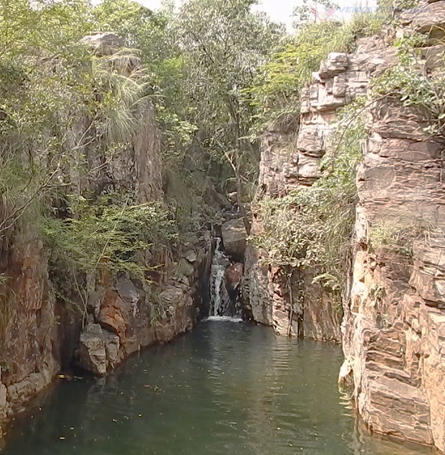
{"x": 394, "y": 322}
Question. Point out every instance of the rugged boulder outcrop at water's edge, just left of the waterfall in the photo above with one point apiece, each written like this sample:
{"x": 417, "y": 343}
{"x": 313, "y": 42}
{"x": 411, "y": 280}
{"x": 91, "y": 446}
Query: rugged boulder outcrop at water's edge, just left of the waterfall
{"x": 127, "y": 319}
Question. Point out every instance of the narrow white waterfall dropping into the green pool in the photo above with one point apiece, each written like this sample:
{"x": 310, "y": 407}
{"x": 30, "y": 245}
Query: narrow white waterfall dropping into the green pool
{"x": 221, "y": 303}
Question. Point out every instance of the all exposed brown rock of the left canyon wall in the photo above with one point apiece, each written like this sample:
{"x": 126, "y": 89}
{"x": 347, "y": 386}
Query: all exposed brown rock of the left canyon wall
{"x": 43, "y": 334}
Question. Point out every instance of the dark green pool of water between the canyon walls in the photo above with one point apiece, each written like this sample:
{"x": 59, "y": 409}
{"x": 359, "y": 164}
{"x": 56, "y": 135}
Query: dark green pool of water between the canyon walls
{"x": 226, "y": 388}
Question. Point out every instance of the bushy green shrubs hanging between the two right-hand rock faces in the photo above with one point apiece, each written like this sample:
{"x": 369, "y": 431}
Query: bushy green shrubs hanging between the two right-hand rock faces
{"x": 313, "y": 227}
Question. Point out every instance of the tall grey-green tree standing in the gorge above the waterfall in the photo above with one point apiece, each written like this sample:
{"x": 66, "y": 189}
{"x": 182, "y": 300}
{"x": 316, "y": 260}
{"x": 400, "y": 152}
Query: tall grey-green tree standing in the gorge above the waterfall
{"x": 222, "y": 44}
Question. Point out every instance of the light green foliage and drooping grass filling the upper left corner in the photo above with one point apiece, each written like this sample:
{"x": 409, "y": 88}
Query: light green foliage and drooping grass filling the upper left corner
{"x": 59, "y": 104}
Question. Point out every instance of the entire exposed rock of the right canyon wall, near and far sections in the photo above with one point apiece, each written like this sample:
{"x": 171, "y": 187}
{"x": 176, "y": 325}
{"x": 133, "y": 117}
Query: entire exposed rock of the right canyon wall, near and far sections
{"x": 393, "y": 326}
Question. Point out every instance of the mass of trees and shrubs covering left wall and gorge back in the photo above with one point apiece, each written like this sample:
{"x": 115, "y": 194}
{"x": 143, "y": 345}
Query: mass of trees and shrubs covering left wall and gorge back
{"x": 68, "y": 113}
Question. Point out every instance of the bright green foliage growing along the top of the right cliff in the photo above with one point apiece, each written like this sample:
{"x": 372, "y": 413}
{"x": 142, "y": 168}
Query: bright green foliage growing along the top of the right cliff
{"x": 276, "y": 90}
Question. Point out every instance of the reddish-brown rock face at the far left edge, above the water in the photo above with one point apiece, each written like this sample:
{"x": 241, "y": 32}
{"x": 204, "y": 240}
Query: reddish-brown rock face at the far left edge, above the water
{"x": 30, "y": 331}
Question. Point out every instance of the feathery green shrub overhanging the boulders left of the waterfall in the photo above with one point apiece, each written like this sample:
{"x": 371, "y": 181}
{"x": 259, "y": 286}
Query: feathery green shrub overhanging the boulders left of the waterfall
{"x": 110, "y": 231}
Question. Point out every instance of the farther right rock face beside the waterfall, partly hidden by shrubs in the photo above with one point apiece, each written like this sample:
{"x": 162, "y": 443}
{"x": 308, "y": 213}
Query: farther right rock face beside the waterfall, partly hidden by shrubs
{"x": 291, "y": 160}
